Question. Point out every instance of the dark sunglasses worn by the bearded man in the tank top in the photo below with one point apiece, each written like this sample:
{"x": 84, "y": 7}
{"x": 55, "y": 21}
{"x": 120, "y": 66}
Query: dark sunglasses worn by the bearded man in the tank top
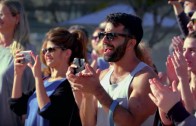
{"x": 111, "y": 36}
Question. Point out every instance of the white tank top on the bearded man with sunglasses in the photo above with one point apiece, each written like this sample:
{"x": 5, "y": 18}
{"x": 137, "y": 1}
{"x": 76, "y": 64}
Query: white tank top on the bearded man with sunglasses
{"x": 117, "y": 92}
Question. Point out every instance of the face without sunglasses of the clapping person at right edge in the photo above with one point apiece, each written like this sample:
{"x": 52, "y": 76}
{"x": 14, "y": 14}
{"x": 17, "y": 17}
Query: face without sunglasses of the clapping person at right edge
{"x": 189, "y": 52}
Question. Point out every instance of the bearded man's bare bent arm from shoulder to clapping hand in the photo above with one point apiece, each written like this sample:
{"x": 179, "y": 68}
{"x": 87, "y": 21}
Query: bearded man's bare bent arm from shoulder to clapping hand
{"x": 140, "y": 105}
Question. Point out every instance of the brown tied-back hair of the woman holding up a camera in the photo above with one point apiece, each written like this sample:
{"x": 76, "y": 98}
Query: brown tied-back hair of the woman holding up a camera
{"x": 61, "y": 37}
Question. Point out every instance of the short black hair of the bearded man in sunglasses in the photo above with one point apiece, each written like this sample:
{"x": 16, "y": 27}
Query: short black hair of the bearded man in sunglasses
{"x": 132, "y": 24}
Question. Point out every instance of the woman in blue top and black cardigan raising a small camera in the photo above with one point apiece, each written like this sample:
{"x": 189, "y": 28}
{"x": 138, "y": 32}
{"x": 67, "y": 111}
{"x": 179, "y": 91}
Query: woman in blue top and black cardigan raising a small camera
{"x": 52, "y": 102}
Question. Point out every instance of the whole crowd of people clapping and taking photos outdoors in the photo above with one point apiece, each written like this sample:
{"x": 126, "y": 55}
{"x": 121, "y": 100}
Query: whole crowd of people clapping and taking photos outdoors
{"x": 118, "y": 85}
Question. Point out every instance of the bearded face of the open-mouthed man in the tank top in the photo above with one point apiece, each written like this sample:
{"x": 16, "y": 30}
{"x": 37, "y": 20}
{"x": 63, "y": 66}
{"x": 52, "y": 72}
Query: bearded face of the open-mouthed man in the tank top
{"x": 114, "y": 45}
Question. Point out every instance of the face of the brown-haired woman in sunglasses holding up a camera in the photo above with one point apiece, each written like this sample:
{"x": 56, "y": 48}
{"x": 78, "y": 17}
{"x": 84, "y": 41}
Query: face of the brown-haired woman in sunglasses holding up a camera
{"x": 53, "y": 55}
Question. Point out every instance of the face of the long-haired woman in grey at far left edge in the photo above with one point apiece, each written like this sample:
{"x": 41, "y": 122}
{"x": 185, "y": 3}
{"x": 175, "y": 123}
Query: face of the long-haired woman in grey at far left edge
{"x": 7, "y": 21}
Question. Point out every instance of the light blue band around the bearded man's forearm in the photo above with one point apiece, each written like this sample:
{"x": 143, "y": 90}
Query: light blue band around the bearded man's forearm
{"x": 111, "y": 111}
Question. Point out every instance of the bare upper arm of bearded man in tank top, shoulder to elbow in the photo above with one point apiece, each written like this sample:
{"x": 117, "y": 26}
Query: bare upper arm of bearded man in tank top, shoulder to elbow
{"x": 140, "y": 104}
